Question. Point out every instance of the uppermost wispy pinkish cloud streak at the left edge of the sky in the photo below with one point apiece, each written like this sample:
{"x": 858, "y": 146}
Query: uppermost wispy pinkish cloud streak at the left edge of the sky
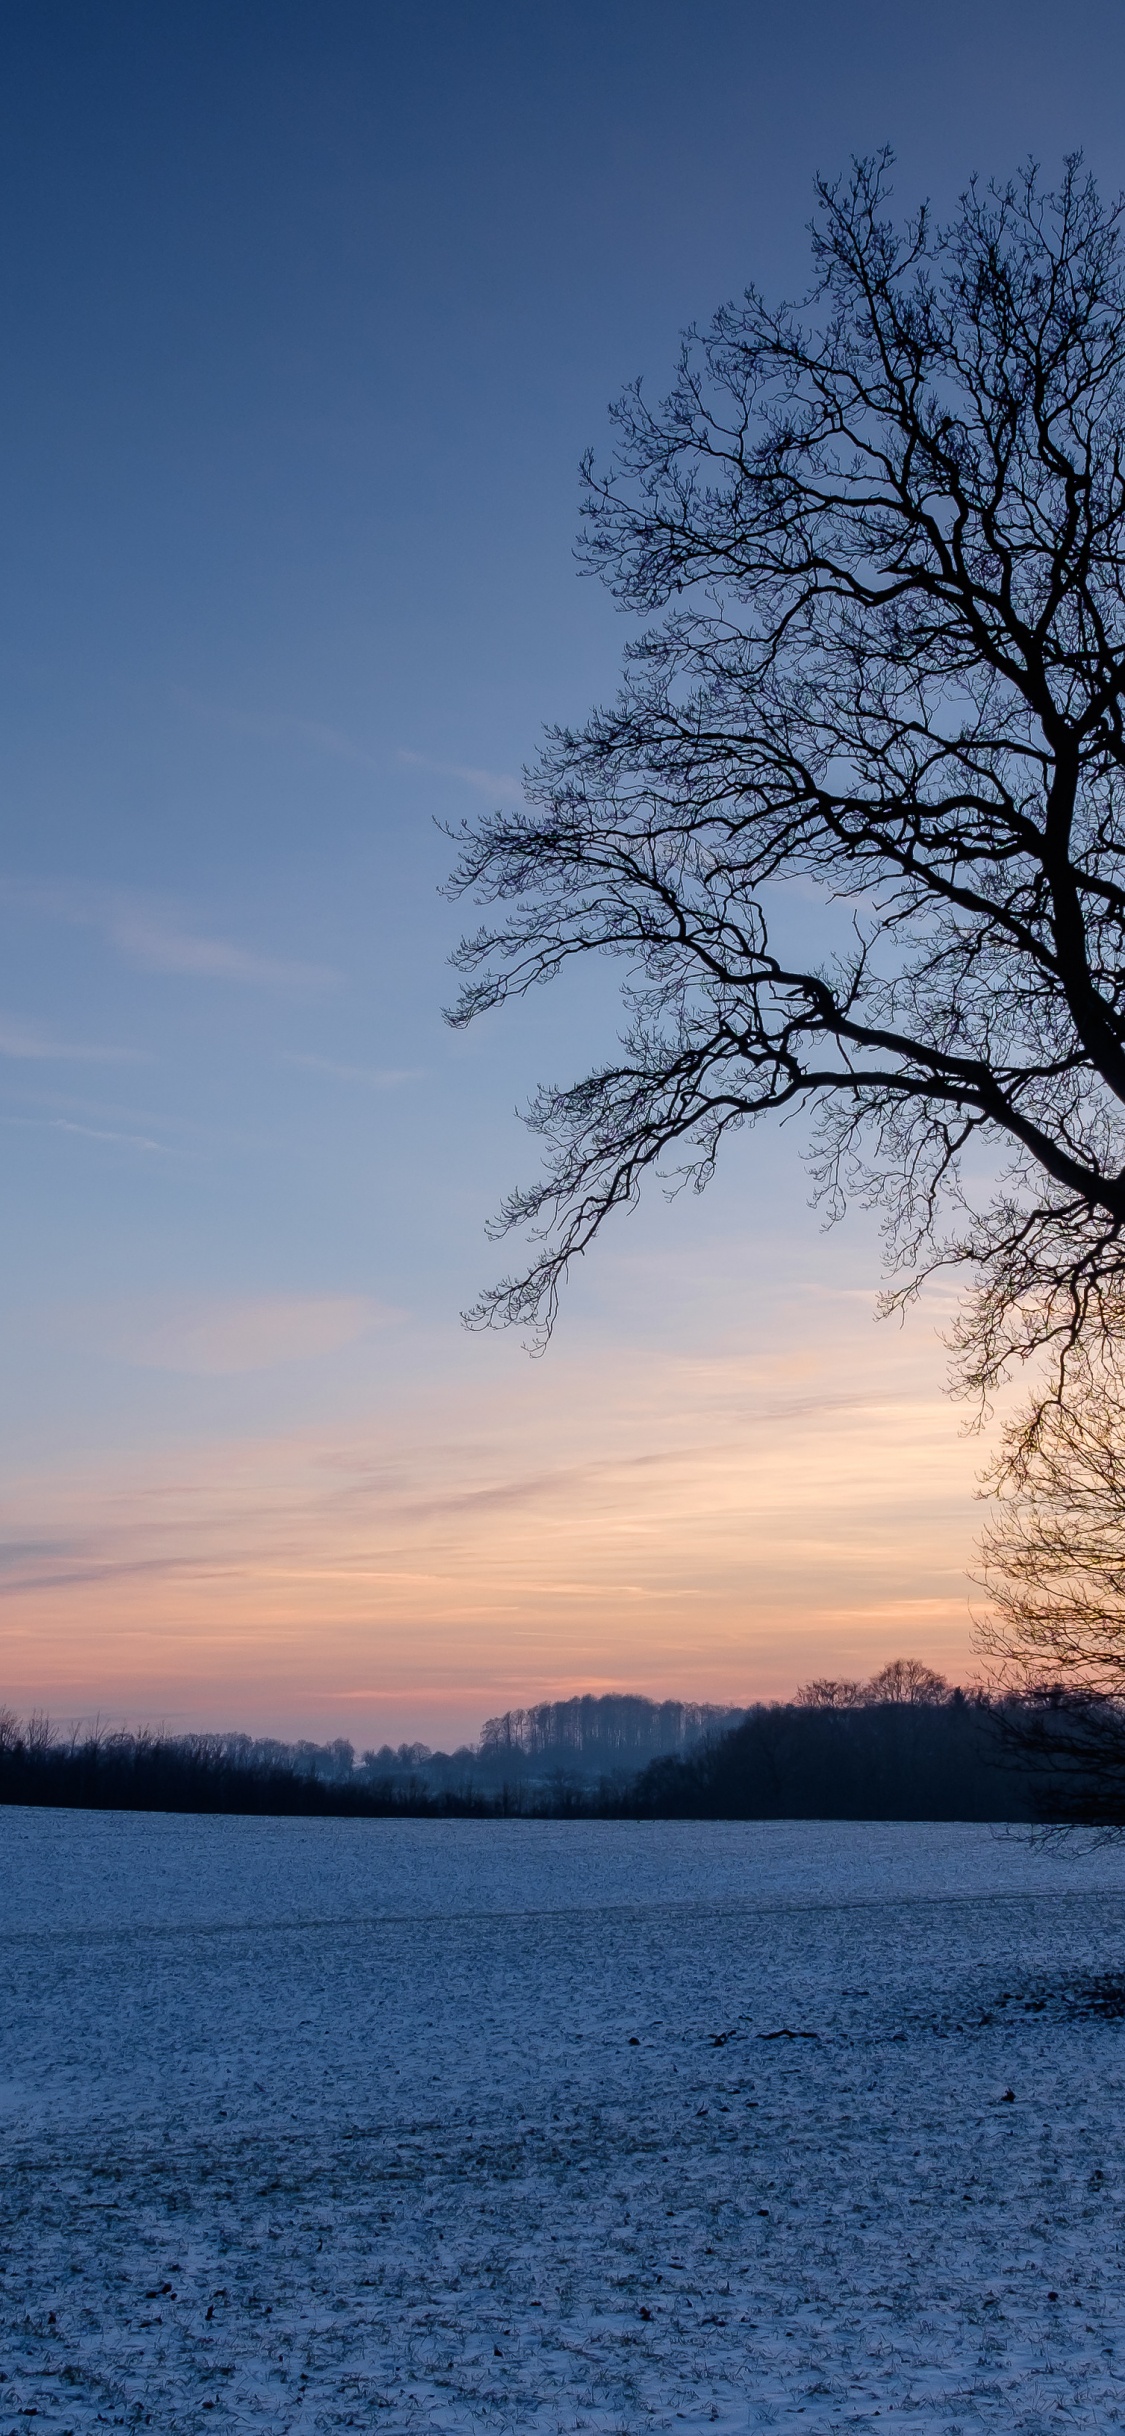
{"x": 155, "y": 937}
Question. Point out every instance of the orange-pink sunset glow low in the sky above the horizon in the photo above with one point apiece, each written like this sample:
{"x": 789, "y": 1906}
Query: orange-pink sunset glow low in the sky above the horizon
{"x": 715, "y": 1529}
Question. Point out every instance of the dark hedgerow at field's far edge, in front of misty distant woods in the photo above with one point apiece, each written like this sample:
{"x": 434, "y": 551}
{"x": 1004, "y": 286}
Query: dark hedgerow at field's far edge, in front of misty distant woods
{"x": 839, "y": 1753}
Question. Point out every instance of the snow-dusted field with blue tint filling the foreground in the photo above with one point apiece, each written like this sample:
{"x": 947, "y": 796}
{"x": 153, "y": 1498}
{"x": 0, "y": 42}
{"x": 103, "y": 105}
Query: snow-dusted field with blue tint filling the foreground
{"x": 457, "y": 2125}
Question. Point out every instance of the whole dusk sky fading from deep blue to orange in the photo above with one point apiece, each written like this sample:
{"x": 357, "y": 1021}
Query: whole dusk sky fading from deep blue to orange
{"x": 310, "y": 313}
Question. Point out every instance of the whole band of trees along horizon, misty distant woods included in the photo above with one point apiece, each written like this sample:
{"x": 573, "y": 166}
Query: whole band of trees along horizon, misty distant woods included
{"x": 897, "y": 1748}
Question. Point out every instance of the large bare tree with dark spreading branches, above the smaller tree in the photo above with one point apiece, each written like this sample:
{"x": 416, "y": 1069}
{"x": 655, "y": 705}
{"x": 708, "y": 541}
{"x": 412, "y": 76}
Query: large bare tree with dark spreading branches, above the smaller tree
{"x": 880, "y": 547}
